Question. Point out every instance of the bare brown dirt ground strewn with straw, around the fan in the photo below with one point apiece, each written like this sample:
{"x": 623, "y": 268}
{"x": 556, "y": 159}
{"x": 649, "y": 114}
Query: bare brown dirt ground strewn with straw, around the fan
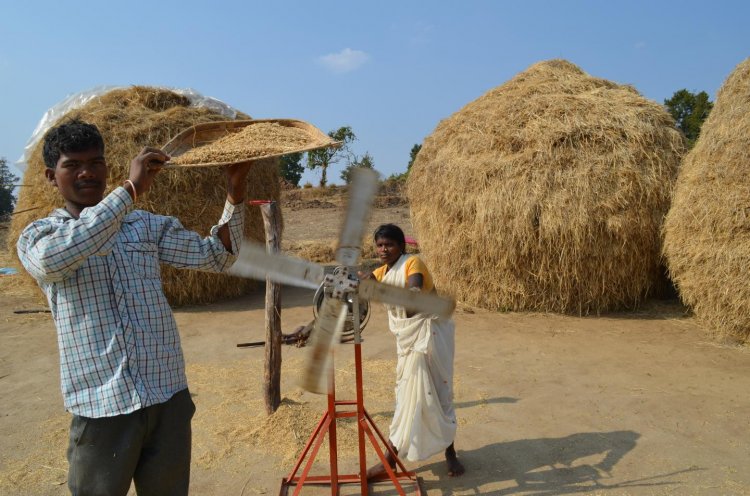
{"x": 632, "y": 403}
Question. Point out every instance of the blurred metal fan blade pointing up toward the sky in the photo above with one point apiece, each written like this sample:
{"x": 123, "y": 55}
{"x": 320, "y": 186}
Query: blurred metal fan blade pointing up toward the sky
{"x": 361, "y": 195}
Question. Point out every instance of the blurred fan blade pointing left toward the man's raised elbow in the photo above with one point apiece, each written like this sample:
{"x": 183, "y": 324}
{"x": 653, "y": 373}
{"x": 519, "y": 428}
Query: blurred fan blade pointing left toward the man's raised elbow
{"x": 256, "y": 263}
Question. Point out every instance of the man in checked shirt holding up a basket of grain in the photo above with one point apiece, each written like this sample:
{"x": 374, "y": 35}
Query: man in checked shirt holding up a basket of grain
{"x": 121, "y": 363}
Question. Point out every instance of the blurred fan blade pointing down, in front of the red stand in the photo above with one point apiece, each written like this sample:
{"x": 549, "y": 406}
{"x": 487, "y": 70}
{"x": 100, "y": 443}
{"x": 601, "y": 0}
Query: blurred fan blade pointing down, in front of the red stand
{"x": 325, "y": 334}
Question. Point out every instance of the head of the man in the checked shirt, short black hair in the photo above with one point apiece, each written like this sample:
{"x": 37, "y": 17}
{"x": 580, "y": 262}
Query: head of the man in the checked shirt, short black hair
{"x": 74, "y": 156}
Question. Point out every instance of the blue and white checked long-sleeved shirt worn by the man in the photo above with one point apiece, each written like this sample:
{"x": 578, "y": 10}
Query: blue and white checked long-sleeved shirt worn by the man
{"x": 119, "y": 346}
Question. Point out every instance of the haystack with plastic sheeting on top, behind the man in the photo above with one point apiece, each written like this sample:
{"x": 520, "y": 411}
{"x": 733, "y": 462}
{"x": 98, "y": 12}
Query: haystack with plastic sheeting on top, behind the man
{"x": 130, "y": 119}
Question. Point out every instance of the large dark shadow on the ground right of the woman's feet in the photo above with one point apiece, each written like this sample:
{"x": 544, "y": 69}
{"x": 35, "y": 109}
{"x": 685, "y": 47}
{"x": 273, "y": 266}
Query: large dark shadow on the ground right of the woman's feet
{"x": 546, "y": 466}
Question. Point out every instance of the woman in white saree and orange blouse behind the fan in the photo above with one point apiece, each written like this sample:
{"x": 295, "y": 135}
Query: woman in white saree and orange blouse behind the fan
{"x": 424, "y": 422}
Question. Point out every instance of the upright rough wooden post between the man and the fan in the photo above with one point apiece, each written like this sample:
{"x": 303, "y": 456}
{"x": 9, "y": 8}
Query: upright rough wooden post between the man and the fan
{"x": 272, "y": 374}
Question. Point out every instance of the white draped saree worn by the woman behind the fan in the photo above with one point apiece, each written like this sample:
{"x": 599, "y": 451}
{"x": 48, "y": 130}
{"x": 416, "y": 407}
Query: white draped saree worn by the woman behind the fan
{"x": 424, "y": 421}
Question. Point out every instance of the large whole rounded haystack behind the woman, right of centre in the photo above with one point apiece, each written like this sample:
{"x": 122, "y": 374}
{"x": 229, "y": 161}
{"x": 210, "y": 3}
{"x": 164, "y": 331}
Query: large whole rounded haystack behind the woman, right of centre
{"x": 547, "y": 193}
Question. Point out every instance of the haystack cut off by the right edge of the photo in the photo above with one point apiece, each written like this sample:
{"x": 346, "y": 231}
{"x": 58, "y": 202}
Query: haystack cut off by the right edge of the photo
{"x": 707, "y": 230}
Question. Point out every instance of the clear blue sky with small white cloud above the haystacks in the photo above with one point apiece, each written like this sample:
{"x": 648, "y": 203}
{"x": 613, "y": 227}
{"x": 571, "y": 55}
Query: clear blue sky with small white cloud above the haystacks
{"x": 389, "y": 69}
